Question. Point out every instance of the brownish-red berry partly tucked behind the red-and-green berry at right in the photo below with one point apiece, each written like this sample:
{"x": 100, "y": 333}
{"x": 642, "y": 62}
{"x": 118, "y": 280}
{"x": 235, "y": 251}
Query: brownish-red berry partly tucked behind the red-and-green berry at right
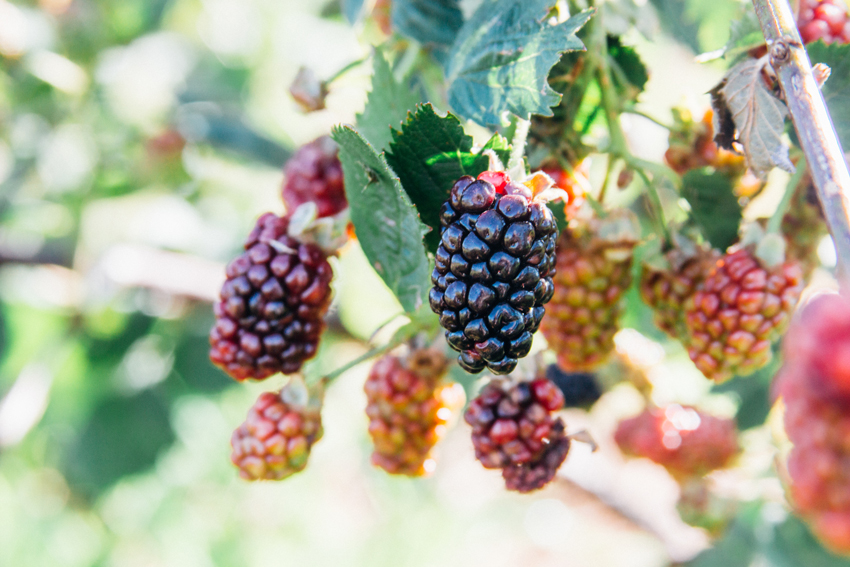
{"x": 667, "y": 285}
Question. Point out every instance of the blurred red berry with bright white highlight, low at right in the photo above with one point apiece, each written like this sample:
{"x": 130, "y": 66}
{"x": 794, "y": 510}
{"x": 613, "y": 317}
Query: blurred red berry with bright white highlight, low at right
{"x": 684, "y": 440}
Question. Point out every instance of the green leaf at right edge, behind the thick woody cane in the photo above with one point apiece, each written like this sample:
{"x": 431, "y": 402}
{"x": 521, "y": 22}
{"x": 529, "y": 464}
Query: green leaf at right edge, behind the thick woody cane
{"x": 836, "y": 90}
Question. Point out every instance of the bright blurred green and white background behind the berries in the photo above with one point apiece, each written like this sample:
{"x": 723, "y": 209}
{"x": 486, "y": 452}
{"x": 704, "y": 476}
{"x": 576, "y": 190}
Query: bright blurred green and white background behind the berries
{"x": 139, "y": 140}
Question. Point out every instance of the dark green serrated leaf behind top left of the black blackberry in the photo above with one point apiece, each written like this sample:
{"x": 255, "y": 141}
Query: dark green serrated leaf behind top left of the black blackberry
{"x": 429, "y": 154}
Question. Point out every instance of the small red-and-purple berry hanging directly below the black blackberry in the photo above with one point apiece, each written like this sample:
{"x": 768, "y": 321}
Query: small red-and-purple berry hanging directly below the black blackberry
{"x": 513, "y": 429}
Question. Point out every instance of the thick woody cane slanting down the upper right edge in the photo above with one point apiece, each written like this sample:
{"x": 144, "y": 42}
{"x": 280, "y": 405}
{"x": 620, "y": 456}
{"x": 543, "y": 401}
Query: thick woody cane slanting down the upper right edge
{"x": 811, "y": 120}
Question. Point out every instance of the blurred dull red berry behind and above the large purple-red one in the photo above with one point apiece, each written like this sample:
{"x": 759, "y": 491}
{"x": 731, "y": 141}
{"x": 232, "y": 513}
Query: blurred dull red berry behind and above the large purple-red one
{"x": 314, "y": 174}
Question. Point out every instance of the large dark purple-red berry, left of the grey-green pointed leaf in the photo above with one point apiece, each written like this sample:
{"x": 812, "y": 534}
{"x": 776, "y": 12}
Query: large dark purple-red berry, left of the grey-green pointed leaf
{"x": 270, "y": 315}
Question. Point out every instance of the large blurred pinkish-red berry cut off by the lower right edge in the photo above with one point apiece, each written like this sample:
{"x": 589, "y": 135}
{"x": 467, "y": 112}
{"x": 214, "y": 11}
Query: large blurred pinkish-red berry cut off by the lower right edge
{"x": 814, "y": 383}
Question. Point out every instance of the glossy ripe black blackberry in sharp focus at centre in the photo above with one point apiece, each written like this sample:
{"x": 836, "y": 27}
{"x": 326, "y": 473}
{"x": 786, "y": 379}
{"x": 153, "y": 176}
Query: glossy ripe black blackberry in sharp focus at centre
{"x": 494, "y": 270}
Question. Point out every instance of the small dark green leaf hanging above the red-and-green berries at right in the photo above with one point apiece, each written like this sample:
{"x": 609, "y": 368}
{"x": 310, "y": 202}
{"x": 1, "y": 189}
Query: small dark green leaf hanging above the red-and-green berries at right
{"x": 713, "y": 205}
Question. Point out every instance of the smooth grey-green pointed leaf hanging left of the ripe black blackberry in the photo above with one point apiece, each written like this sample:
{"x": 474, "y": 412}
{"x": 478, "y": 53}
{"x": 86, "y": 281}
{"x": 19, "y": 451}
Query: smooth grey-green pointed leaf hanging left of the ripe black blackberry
{"x": 386, "y": 223}
